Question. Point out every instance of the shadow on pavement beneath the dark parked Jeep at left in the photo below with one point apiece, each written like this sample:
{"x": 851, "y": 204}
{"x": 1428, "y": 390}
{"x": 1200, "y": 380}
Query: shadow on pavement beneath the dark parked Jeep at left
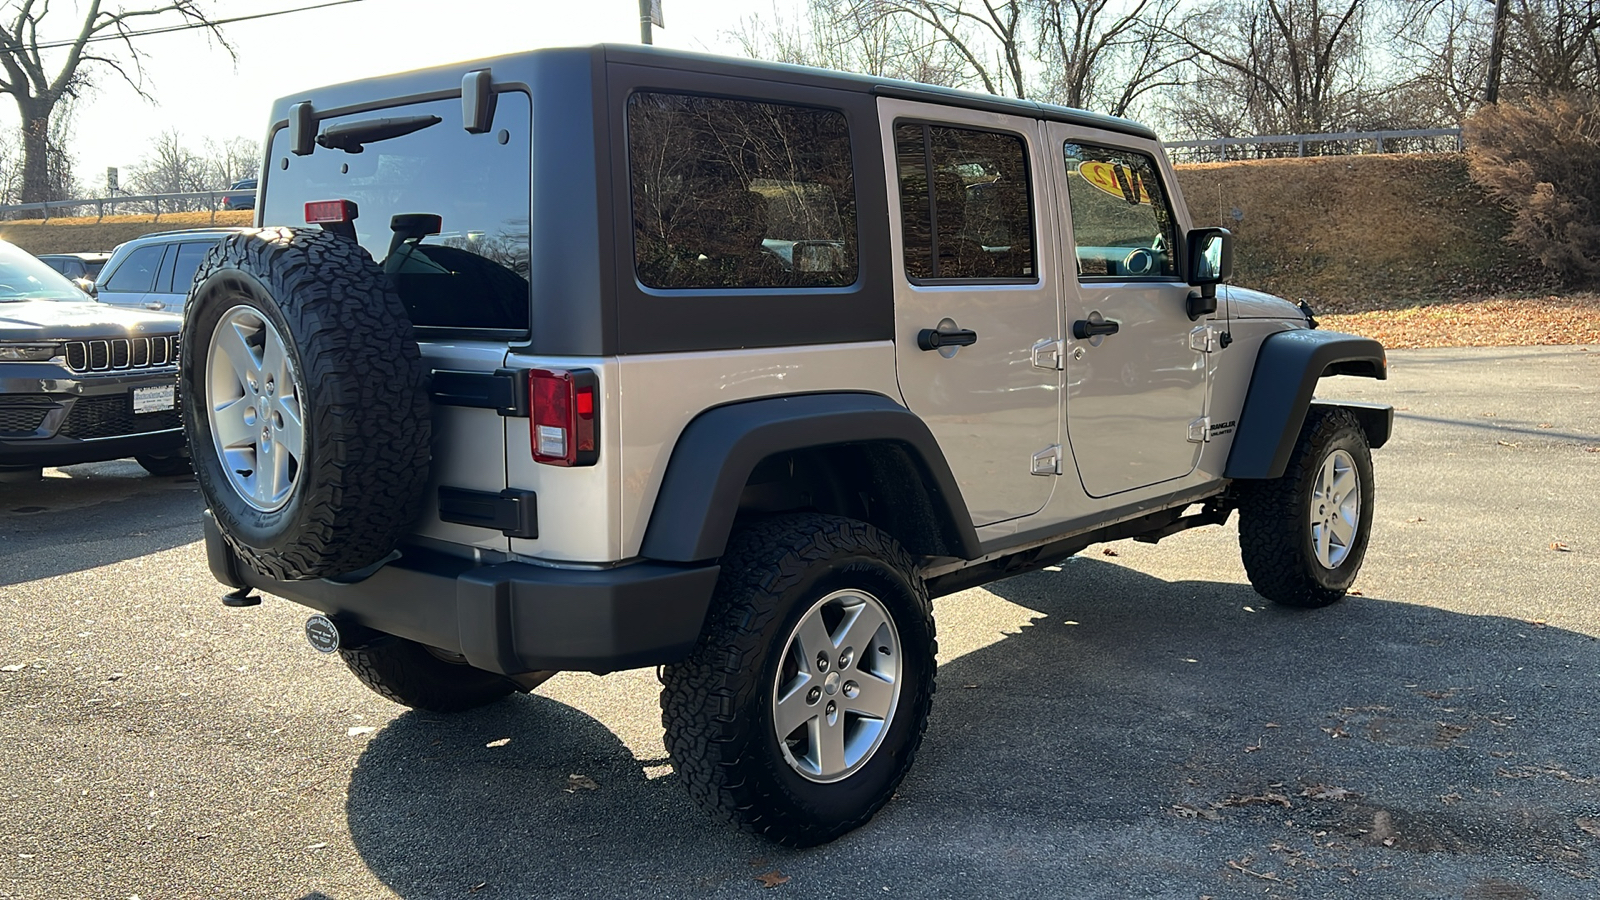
{"x": 105, "y": 512}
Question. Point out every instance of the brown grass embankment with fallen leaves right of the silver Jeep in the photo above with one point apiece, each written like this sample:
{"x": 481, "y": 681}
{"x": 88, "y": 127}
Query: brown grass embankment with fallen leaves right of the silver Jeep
{"x": 1404, "y": 249}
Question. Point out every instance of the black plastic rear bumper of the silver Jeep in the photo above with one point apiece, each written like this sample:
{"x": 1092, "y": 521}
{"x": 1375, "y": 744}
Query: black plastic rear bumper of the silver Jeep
{"x": 510, "y": 617}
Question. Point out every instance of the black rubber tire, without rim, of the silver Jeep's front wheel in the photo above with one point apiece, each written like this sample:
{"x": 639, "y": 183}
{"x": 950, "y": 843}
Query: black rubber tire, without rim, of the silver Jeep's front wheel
{"x": 1274, "y": 518}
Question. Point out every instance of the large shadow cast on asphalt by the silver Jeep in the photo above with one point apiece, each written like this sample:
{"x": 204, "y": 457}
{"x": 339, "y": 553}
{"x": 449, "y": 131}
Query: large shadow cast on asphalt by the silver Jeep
{"x": 1134, "y": 739}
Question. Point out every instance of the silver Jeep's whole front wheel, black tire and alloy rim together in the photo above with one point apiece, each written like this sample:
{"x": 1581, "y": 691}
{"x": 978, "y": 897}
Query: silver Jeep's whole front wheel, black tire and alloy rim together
{"x": 1303, "y": 536}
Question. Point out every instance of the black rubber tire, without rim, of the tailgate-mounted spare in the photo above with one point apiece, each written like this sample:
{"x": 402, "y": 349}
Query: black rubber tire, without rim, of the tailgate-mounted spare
{"x": 366, "y": 404}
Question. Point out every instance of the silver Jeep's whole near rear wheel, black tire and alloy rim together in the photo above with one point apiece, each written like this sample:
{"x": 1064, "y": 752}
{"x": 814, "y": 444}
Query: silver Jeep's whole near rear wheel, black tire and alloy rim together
{"x": 806, "y": 701}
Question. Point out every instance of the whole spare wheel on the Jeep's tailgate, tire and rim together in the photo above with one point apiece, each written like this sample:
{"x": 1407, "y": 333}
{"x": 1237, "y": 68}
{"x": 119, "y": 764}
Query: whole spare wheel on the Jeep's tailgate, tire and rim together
{"x": 305, "y": 403}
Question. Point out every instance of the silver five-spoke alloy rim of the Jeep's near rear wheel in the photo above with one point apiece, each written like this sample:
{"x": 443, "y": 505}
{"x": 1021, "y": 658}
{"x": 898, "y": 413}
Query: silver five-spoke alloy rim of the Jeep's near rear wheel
{"x": 838, "y": 686}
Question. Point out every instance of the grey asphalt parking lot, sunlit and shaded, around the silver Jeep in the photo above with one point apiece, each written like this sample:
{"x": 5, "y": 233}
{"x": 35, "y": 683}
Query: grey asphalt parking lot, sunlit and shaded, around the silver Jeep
{"x": 1135, "y": 723}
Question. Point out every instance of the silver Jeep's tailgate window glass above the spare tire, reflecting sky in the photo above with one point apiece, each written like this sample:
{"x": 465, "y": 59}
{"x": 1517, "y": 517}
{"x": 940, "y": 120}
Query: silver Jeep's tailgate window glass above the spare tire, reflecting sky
{"x": 474, "y": 275}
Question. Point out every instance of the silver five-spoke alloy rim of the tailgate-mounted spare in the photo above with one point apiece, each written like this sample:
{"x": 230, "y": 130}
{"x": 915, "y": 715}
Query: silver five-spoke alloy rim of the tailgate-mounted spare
{"x": 254, "y": 408}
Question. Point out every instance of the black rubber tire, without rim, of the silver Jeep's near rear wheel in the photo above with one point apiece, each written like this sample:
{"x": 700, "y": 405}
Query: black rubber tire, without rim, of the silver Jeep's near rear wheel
{"x": 718, "y": 705}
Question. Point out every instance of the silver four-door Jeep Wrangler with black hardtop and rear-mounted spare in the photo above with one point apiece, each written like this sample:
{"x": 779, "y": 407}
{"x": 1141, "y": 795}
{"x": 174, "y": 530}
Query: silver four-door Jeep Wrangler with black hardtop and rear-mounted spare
{"x": 610, "y": 358}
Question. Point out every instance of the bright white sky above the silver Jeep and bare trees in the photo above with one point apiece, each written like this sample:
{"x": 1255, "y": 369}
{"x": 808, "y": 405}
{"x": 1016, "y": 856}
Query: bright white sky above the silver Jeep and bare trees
{"x": 201, "y": 92}
